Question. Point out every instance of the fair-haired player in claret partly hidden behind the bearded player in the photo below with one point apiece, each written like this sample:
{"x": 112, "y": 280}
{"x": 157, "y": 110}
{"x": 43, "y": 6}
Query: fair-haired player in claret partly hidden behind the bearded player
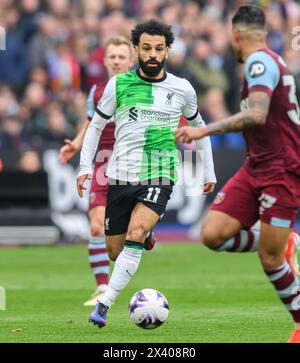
{"x": 118, "y": 58}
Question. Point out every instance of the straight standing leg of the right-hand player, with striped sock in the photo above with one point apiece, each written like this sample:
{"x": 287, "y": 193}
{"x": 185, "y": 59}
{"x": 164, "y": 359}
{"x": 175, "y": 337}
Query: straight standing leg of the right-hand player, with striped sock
{"x": 272, "y": 245}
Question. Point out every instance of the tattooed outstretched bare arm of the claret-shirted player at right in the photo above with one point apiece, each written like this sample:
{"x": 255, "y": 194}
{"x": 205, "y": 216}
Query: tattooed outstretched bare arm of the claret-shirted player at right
{"x": 255, "y": 115}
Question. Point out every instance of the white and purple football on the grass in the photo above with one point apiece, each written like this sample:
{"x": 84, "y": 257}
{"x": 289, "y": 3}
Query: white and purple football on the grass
{"x": 148, "y": 309}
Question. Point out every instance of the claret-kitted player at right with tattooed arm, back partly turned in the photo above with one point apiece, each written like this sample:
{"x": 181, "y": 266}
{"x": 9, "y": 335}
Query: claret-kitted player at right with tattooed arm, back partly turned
{"x": 267, "y": 187}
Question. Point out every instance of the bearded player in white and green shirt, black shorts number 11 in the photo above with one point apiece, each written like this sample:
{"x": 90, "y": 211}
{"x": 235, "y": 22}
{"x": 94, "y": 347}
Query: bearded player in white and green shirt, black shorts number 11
{"x": 140, "y": 185}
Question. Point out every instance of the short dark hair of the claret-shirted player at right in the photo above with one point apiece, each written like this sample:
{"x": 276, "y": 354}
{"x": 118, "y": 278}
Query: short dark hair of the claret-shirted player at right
{"x": 249, "y": 15}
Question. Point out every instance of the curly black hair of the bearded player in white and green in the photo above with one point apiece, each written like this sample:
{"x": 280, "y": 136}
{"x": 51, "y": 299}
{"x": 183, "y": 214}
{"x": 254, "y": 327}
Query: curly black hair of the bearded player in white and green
{"x": 152, "y": 27}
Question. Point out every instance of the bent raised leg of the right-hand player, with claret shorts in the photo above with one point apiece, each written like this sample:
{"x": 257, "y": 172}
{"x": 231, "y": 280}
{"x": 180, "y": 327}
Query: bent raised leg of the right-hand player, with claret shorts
{"x": 227, "y": 226}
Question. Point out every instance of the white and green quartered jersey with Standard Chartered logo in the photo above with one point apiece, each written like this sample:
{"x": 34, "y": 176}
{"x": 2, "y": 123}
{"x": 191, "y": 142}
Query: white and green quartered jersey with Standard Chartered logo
{"x": 146, "y": 113}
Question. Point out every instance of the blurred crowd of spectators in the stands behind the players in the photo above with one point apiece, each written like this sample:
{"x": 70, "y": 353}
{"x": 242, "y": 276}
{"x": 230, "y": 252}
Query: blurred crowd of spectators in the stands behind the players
{"x": 54, "y": 53}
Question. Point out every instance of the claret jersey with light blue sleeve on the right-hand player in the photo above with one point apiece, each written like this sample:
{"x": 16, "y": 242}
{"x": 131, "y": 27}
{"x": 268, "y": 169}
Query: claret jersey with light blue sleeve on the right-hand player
{"x": 275, "y": 145}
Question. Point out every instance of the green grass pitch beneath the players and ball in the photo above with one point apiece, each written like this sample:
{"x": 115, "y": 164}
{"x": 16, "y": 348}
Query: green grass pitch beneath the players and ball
{"x": 213, "y": 297}
